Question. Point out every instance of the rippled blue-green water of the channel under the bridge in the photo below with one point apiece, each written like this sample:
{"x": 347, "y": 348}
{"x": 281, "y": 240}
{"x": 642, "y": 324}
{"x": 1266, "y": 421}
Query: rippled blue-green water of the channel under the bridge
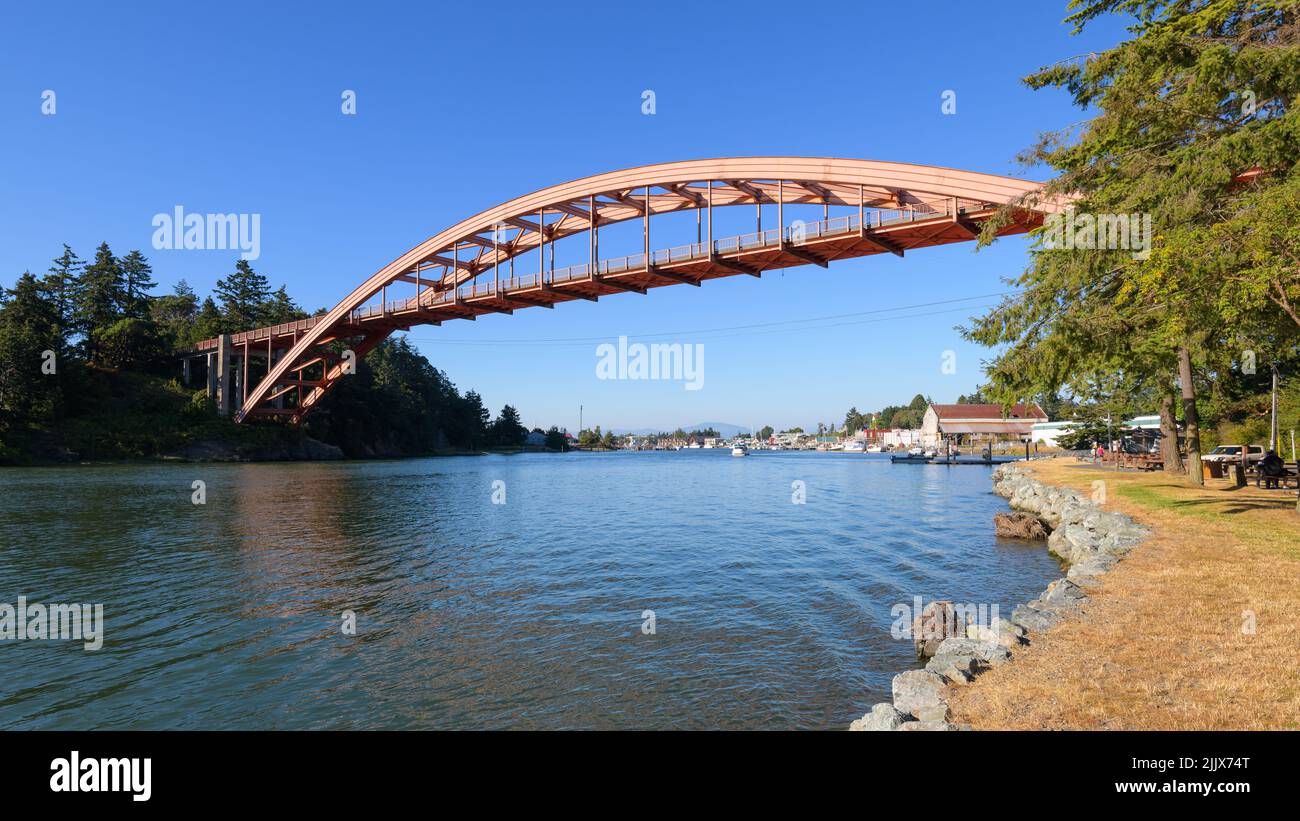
{"x": 480, "y": 615}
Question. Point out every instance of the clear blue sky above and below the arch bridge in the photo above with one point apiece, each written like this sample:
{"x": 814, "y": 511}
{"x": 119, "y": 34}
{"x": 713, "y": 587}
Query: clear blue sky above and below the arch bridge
{"x": 236, "y": 108}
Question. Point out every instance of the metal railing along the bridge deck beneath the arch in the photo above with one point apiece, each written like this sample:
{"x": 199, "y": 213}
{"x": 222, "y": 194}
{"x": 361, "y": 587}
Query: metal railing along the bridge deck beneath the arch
{"x": 792, "y": 234}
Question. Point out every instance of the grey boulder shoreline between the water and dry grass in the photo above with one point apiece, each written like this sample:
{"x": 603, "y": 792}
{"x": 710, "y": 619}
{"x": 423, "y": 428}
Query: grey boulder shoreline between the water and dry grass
{"x": 1078, "y": 532}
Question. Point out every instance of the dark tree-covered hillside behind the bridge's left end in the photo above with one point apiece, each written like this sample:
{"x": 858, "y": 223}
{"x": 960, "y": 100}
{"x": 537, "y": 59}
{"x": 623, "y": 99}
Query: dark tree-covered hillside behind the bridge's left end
{"x": 88, "y": 372}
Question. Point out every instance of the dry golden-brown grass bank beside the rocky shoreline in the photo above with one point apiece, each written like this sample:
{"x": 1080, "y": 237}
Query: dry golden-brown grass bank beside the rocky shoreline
{"x": 1162, "y": 645}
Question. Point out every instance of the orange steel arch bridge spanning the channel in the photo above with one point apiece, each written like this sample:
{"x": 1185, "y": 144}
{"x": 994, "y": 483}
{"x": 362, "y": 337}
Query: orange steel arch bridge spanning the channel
{"x": 470, "y": 270}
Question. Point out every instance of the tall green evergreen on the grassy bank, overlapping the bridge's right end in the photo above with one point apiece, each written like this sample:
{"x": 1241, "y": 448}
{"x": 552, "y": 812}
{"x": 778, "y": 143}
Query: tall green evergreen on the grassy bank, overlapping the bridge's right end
{"x": 1195, "y": 127}
